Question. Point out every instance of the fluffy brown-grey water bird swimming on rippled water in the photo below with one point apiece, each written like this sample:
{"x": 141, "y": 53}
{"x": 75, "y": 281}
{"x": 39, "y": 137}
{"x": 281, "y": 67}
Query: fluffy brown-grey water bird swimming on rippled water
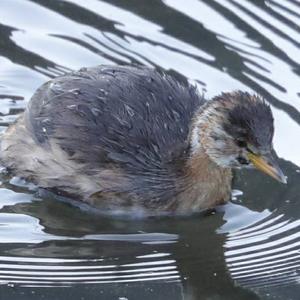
{"x": 136, "y": 140}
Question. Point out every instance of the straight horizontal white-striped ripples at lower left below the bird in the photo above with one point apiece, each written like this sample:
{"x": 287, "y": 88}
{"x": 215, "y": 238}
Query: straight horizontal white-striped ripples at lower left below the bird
{"x": 65, "y": 272}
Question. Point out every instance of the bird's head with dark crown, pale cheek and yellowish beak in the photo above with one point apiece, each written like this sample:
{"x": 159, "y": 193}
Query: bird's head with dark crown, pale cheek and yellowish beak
{"x": 236, "y": 130}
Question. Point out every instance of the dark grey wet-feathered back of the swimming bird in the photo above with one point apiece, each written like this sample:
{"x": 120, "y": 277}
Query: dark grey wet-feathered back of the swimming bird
{"x": 132, "y": 122}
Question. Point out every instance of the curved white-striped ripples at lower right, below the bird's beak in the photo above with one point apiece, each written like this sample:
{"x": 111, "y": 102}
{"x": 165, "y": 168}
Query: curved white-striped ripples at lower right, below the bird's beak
{"x": 265, "y": 254}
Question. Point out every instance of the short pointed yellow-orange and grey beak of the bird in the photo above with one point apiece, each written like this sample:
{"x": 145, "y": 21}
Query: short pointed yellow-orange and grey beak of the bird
{"x": 268, "y": 164}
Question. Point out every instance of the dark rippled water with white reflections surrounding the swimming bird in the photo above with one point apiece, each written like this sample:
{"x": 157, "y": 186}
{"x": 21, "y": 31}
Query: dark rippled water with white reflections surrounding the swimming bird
{"x": 250, "y": 248}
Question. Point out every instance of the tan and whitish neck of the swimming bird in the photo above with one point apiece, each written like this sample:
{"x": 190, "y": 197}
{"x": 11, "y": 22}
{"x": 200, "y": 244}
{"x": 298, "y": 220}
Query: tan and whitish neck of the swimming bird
{"x": 206, "y": 183}
